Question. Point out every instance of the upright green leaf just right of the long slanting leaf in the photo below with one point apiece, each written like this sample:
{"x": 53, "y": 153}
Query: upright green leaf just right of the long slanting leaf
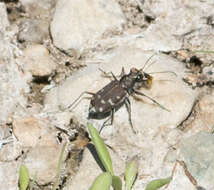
{"x": 131, "y": 174}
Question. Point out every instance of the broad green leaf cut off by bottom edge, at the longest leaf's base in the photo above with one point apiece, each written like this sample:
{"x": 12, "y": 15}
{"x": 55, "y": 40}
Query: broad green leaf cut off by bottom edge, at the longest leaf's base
{"x": 103, "y": 181}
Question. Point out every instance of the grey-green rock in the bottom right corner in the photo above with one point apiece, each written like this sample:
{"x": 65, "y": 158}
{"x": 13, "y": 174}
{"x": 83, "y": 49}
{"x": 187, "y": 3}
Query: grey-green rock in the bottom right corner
{"x": 198, "y": 154}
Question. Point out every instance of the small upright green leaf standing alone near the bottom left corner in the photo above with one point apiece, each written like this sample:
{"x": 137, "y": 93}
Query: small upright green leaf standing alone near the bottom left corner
{"x": 23, "y": 177}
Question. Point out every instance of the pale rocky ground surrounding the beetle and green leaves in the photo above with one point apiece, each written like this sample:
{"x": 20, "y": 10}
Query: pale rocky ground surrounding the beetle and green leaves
{"x": 51, "y": 51}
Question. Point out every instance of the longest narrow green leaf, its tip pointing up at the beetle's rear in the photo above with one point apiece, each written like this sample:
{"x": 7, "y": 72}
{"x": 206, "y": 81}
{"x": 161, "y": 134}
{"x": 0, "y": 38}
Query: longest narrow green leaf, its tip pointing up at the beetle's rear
{"x": 101, "y": 149}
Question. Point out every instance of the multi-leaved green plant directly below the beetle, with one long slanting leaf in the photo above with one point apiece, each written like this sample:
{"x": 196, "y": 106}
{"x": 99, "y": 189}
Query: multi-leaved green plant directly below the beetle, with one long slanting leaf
{"x": 107, "y": 179}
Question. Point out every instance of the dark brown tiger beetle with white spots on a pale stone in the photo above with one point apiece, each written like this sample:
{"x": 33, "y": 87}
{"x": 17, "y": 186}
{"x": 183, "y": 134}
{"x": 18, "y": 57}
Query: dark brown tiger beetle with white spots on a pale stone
{"x": 111, "y": 97}
